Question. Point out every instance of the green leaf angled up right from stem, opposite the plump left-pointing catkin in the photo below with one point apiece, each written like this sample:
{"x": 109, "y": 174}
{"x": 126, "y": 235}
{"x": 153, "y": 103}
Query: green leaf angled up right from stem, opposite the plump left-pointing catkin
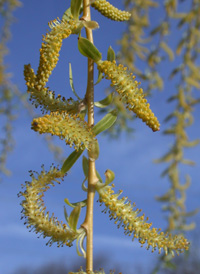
{"x": 106, "y": 122}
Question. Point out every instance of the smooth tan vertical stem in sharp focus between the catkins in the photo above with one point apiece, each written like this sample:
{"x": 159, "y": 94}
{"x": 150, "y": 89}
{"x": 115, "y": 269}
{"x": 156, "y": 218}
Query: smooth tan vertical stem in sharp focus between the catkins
{"x": 92, "y": 178}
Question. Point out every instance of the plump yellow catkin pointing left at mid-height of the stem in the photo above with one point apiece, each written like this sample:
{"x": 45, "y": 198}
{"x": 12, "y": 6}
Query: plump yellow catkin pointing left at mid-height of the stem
{"x": 68, "y": 127}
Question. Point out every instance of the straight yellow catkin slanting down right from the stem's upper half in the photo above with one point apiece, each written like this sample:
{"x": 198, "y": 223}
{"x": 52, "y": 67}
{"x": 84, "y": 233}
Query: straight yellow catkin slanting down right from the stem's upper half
{"x": 129, "y": 91}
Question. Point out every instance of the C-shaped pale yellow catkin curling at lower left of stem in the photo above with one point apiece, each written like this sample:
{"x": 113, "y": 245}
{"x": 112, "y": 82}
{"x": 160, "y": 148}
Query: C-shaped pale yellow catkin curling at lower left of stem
{"x": 34, "y": 210}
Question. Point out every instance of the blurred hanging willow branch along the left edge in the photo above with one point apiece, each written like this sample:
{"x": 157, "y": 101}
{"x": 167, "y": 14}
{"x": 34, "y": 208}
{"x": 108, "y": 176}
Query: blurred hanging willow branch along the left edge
{"x": 7, "y": 88}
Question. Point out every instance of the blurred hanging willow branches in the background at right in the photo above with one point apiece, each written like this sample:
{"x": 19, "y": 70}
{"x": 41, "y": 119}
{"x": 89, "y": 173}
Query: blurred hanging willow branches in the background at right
{"x": 137, "y": 40}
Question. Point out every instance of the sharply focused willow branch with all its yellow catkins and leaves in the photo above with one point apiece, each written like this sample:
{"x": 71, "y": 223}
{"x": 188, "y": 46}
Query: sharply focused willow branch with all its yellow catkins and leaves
{"x": 67, "y": 121}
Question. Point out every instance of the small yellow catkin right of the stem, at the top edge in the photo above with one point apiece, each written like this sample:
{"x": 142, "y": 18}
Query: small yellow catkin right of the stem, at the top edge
{"x": 109, "y": 11}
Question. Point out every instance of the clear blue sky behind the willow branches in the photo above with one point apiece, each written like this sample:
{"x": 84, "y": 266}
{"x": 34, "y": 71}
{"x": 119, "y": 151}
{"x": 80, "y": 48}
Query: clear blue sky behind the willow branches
{"x": 130, "y": 158}
